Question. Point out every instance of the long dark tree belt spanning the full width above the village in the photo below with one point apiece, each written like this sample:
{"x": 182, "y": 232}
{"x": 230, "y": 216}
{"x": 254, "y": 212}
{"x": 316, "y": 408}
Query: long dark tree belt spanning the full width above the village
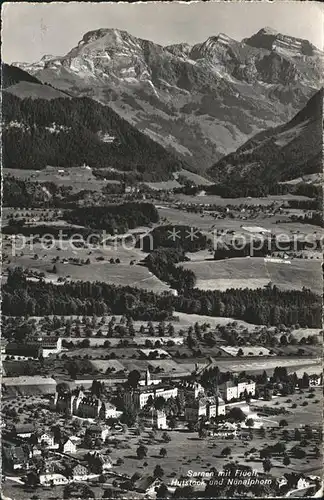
{"x": 268, "y": 306}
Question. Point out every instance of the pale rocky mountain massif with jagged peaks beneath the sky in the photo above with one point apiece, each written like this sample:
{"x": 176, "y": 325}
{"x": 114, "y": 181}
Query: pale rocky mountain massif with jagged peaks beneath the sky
{"x": 200, "y": 101}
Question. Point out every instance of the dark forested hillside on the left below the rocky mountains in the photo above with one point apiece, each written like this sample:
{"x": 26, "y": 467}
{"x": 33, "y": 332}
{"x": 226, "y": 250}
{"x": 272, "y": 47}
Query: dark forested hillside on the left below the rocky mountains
{"x": 68, "y": 132}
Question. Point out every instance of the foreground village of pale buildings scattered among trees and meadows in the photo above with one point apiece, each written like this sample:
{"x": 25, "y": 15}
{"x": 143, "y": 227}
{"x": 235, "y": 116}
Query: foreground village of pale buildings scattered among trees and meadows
{"x": 108, "y": 431}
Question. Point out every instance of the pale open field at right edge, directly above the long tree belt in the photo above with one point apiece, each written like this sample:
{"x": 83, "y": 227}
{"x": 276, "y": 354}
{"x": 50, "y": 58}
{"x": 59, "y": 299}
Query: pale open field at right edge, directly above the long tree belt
{"x": 254, "y": 272}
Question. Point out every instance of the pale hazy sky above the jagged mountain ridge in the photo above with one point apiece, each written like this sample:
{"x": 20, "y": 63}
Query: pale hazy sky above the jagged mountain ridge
{"x": 31, "y": 30}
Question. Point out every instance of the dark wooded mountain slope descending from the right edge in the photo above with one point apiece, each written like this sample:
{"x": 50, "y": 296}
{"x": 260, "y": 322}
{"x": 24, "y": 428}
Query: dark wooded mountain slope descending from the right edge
{"x": 278, "y": 154}
